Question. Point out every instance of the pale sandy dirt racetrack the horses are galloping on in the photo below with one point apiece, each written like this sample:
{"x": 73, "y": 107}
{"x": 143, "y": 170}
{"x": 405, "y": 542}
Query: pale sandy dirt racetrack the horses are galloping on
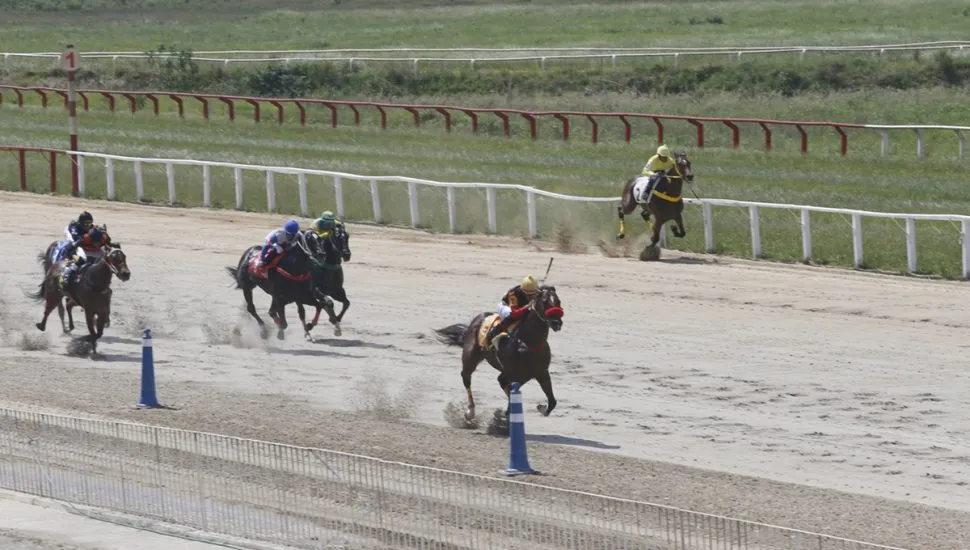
{"x": 814, "y": 398}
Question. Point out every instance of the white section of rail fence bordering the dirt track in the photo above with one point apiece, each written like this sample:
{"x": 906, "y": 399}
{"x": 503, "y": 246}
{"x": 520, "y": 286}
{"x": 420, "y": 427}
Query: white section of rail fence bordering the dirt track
{"x": 338, "y": 180}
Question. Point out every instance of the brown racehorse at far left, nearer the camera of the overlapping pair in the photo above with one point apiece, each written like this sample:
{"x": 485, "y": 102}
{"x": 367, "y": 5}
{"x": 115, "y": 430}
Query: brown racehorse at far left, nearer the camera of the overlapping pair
{"x": 91, "y": 292}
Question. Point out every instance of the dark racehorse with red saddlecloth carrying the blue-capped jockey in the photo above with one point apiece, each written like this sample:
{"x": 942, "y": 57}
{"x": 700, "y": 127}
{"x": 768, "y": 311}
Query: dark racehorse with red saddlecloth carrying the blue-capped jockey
{"x": 290, "y": 281}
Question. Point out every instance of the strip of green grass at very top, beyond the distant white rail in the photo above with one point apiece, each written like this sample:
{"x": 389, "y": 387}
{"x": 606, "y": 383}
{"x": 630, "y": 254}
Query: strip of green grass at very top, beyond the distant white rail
{"x": 45, "y": 25}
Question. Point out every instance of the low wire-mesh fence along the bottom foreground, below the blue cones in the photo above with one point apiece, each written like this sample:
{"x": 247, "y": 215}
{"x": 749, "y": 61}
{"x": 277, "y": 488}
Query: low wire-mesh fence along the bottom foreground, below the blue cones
{"x": 314, "y": 498}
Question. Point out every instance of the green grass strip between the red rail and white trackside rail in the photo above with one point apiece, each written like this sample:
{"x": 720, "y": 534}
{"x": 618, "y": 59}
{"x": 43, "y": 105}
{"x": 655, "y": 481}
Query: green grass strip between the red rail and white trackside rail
{"x": 577, "y": 167}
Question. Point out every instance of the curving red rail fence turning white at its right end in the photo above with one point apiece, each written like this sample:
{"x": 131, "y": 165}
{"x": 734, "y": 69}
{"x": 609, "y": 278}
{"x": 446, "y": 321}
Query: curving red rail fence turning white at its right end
{"x": 565, "y": 119}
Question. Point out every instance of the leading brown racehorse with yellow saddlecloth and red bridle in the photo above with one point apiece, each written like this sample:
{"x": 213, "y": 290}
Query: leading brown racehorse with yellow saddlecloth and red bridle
{"x": 522, "y": 356}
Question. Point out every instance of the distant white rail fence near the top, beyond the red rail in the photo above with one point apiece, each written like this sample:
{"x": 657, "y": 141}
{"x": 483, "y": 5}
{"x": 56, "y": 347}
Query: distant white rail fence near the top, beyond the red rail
{"x": 472, "y": 56}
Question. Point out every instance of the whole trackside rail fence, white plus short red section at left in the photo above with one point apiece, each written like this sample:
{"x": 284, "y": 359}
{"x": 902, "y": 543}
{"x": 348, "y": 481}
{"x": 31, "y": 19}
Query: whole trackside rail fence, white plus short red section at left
{"x": 449, "y": 206}
